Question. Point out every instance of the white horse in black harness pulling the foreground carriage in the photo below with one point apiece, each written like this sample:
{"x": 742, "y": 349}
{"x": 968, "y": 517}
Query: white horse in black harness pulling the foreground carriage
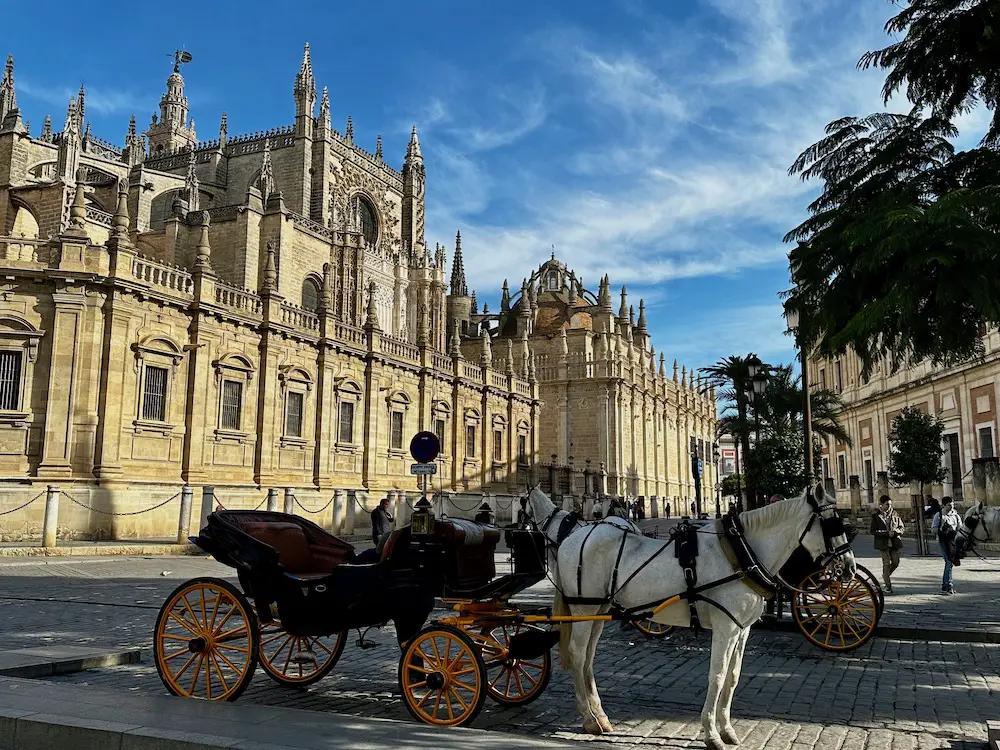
{"x": 648, "y": 573}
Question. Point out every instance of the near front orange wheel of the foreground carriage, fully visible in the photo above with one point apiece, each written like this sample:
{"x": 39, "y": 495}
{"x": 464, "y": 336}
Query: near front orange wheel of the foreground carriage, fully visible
{"x": 442, "y": 677}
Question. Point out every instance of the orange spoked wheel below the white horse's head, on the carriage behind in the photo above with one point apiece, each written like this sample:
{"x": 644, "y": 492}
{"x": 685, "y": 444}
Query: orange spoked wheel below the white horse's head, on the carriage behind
{"x": 834, "y": 615}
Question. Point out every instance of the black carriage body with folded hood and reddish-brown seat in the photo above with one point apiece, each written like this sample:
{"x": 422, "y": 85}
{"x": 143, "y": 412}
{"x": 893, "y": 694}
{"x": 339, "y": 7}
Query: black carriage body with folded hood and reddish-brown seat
{"x": 316, "y": 581}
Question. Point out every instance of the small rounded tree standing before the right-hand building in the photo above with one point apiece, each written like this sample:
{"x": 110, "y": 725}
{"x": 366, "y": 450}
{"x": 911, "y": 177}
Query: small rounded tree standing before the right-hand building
{"x": 915, "y": 448}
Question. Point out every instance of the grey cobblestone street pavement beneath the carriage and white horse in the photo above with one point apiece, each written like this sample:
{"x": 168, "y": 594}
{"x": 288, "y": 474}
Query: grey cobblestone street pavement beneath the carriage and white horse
{"x": 888, "y": 694}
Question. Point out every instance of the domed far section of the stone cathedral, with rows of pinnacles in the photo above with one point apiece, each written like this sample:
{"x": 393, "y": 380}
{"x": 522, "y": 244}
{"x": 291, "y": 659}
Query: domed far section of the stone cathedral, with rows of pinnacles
{"x": 613, "y": 422}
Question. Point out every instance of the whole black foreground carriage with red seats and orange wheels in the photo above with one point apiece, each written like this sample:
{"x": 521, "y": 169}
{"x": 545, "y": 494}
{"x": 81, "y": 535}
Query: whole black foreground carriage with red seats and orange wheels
{"x": 302, "y": 589}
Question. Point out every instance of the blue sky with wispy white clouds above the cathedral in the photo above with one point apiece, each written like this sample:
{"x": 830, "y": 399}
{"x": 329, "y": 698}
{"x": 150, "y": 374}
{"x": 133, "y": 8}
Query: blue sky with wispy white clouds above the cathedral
{"x": 646, "y": 139}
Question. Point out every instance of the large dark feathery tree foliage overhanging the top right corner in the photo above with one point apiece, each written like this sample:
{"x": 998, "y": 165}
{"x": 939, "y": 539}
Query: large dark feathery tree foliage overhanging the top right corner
{"x": 900, "y": 258}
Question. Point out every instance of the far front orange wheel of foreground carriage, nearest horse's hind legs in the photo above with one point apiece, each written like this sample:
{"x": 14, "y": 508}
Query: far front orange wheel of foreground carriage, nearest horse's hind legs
{"x": 512, "y": 682}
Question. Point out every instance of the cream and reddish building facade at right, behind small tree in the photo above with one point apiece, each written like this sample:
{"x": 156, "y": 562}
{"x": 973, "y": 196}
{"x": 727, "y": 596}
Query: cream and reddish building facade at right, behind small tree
{"x": 964, "y": 397}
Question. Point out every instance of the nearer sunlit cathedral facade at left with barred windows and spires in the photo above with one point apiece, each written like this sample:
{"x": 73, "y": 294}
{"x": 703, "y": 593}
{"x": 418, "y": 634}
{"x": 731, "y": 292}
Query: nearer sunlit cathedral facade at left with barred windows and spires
{"x": 249, "y": 312}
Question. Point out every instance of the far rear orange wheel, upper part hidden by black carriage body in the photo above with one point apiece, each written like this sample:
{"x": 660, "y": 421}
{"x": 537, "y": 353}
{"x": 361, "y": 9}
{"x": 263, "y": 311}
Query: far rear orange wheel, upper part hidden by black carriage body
{"x": 298, "y": 660}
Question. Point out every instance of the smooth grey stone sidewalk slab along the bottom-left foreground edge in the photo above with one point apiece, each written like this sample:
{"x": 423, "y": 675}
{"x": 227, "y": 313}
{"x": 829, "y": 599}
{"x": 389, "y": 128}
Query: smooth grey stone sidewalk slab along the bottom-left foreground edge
{"x": 36, "y": 715}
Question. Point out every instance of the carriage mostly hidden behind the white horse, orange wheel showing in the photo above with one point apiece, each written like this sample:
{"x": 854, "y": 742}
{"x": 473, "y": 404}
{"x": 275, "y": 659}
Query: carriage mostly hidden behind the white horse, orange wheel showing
{"x": 831, "y": 614}
